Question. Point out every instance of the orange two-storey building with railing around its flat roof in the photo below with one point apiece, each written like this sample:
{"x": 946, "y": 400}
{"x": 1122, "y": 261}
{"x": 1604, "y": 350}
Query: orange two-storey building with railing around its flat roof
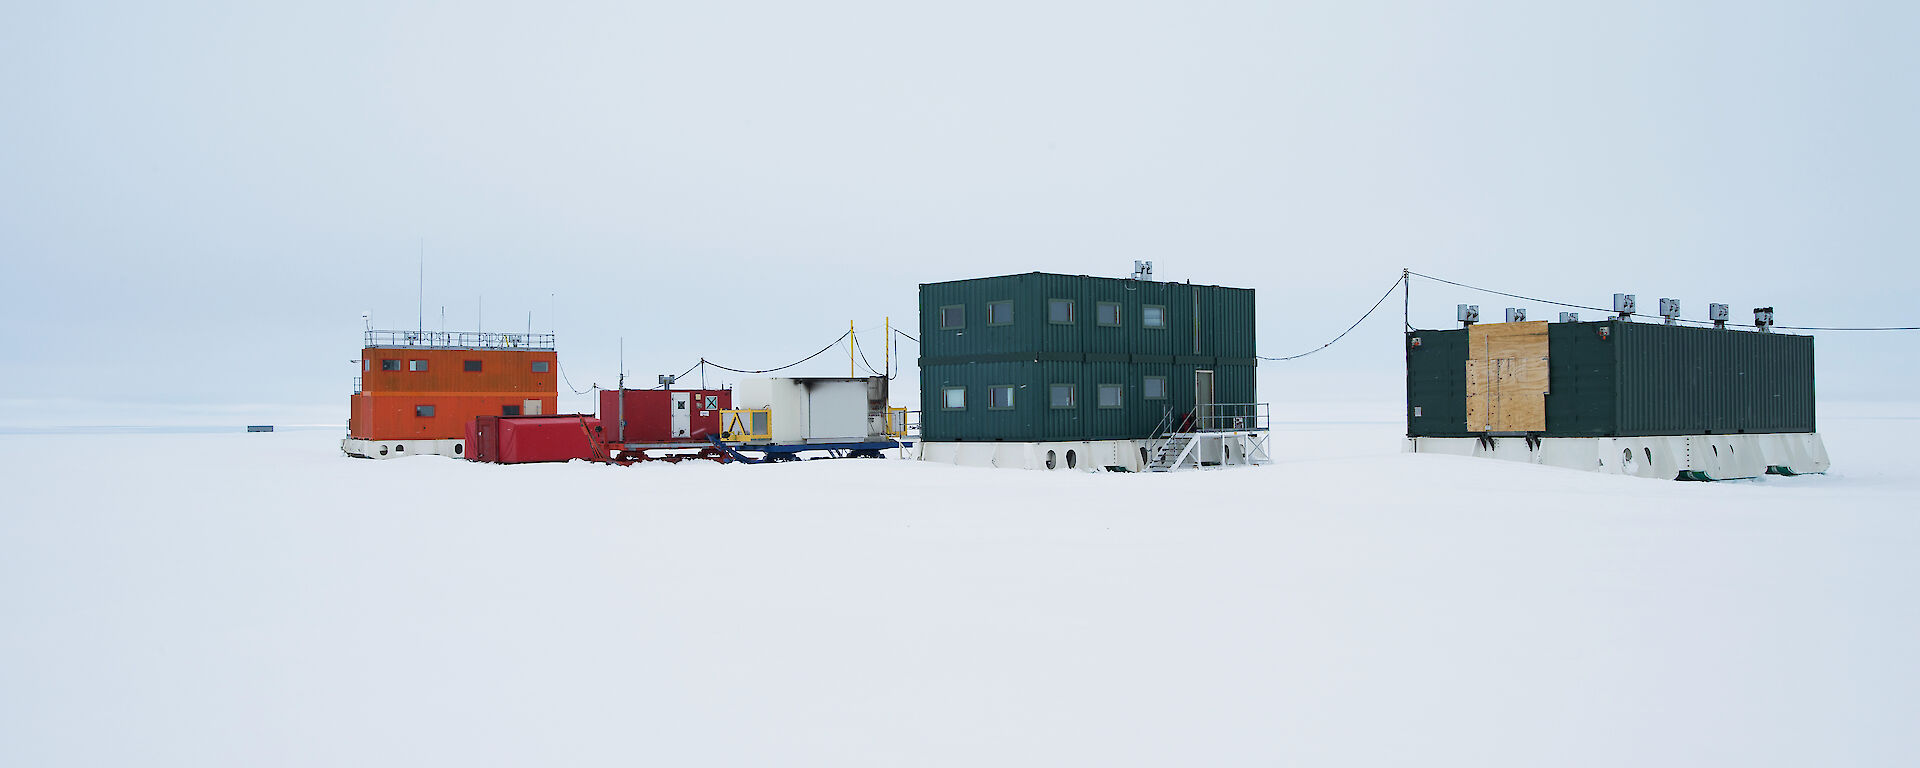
{"x": 418, "y": 391}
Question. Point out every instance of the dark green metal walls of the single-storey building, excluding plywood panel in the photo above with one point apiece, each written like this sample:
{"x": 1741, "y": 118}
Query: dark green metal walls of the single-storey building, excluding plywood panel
{"x": 1620, "y": 379}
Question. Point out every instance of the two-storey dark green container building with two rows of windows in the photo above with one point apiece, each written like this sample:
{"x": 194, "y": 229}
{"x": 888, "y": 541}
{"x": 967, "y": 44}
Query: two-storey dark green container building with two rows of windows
{"x": 1063, "y": 358}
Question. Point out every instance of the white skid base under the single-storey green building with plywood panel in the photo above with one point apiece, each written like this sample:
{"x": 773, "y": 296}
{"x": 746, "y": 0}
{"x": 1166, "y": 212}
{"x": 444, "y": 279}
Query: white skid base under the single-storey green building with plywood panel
{"x": 1662, "y": 458}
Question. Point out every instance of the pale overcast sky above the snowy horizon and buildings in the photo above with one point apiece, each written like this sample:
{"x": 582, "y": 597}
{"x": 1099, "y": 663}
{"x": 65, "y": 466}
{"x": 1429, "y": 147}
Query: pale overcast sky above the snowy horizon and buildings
{"x": 199, "y": 201}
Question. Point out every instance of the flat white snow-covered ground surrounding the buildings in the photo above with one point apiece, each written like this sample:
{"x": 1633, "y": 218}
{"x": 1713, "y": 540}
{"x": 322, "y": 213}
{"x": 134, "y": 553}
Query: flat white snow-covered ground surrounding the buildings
{"x": 258, "y": 600}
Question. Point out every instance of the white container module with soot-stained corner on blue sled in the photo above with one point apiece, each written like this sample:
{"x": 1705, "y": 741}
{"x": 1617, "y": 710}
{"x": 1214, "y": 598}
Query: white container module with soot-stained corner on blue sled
{"x": 819, "y": 410}
